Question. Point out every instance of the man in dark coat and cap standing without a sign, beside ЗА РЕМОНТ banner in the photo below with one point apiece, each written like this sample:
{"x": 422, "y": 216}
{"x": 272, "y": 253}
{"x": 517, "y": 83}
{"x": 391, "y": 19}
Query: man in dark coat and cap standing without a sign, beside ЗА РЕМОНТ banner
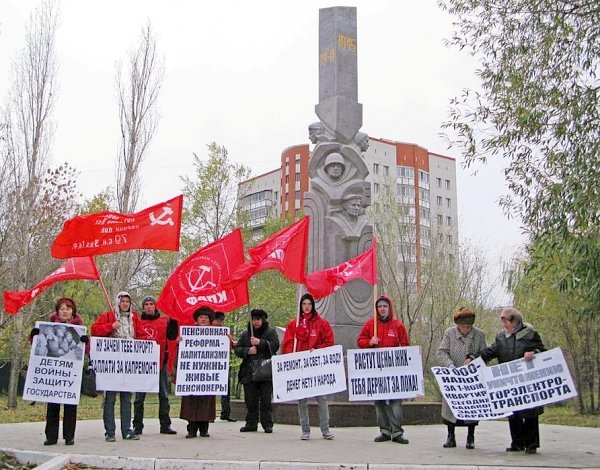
{"x": 259, "y": 341}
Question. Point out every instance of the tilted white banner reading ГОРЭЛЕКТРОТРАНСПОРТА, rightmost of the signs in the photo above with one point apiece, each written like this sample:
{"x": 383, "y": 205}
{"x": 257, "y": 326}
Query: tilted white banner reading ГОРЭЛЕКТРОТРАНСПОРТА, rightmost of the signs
{"x": 520, "y": 384}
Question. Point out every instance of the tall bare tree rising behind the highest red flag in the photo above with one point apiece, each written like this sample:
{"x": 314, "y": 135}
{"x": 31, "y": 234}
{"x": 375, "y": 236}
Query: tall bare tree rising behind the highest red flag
{"x": 138, "y": 89}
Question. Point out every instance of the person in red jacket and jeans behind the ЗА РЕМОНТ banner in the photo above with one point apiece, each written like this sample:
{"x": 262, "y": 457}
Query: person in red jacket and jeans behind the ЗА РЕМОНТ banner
{"x": 306, "y": 333}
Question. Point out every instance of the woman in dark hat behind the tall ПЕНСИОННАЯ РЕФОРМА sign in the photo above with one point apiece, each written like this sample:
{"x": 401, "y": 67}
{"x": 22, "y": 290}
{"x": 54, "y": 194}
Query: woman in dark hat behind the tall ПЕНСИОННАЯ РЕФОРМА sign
{"x": 199, "y": 410}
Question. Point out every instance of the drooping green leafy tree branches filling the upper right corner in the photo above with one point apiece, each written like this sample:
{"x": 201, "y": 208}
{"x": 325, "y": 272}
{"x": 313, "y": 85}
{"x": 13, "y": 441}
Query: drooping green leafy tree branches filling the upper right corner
{"x": 538, "y": 106}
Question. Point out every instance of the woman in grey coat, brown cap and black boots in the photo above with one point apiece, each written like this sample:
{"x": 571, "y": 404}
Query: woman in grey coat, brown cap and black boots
{"x": 460, "y": 344}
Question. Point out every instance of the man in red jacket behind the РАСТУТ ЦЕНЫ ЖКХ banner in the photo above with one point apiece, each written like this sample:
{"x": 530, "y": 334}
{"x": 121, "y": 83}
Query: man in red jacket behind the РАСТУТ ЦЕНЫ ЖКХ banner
{"x": 390, "y": 333}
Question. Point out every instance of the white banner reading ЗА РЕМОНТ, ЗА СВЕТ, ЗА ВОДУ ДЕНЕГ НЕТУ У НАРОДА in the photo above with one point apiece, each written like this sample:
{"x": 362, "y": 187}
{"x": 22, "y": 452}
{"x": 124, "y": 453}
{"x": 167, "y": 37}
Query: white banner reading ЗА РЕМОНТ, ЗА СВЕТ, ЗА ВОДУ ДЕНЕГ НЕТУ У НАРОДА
{"x": 308, "y": 374}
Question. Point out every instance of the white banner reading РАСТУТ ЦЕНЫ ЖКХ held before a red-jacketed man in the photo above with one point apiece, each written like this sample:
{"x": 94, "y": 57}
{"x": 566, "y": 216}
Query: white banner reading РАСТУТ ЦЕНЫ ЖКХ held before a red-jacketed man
{"x": 385, "y": 373}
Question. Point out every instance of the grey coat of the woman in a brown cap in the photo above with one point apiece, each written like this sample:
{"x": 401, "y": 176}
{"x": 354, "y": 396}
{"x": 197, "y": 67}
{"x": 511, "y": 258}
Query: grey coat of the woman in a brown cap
{"x": 453, "y": 350}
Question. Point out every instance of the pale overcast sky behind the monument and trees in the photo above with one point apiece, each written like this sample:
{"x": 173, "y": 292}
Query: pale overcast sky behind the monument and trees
{"x": 245, "y": 75}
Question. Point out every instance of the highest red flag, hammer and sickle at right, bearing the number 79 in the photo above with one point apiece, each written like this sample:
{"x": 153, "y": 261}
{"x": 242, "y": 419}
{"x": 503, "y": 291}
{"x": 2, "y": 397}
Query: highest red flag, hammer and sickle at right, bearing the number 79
{"x": 154, "y": 228}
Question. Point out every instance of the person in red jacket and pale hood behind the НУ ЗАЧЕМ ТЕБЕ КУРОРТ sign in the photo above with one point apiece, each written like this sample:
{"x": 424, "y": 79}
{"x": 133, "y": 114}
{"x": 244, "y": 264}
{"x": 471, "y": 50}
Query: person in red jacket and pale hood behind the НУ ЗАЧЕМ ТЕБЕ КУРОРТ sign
{"x": 118, "y": 323}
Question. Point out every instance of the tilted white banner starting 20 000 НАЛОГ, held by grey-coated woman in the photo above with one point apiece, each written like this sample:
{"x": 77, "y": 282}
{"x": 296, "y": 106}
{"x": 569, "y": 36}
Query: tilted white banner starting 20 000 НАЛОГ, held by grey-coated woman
{"x": 465, "y": 391}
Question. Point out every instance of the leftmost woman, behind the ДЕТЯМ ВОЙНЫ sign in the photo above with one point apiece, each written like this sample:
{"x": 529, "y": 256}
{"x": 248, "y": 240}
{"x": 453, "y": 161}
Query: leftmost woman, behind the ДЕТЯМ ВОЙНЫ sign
{"x": 65, "y": 312}
